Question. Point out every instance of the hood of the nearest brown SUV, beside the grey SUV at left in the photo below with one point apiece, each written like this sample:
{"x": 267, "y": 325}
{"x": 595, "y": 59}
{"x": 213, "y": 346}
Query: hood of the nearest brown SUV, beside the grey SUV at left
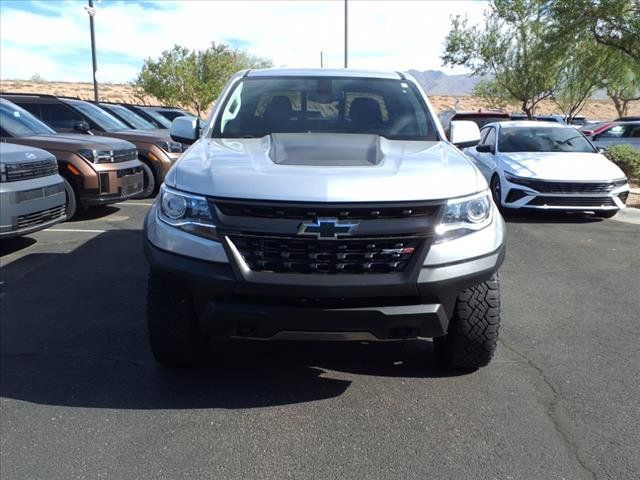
{"x": 72, "y": 142}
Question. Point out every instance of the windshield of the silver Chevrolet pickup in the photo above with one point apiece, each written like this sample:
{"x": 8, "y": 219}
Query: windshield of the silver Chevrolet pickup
{"x": 261, "y": 106}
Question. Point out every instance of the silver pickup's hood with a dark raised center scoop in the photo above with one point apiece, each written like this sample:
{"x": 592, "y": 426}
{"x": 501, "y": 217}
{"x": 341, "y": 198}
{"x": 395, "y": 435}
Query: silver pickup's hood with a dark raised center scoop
{"x": 323, "y": 171}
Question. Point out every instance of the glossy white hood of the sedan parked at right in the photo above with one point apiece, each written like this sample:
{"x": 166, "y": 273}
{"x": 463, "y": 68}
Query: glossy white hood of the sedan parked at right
{"x": 567, "y": 166}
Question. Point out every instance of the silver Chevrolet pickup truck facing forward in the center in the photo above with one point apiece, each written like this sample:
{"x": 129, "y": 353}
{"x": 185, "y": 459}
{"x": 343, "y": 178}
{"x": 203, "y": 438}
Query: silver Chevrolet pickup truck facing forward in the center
{"x": 324, "y": 204}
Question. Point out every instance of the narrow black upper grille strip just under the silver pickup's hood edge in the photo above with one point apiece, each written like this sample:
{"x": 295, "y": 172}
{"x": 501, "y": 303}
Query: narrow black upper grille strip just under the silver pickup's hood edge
{"x": 311, "y": 211}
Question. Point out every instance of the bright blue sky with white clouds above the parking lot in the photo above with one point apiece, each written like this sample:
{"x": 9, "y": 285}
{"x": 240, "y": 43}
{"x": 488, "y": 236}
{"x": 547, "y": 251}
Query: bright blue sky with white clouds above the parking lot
{"x": 51, "y": 37}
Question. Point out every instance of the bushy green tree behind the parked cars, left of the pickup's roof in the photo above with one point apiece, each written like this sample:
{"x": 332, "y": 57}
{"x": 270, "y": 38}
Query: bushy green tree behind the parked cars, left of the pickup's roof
{"x": 193, "y": 78}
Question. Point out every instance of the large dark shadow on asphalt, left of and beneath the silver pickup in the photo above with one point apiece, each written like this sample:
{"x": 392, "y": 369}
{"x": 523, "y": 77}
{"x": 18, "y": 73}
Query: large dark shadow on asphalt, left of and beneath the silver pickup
{"x": 72, "y": 333}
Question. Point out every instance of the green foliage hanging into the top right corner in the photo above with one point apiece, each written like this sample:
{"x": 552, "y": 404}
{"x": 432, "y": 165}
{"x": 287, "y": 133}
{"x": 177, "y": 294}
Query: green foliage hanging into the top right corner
{"x": 613, "y": 23}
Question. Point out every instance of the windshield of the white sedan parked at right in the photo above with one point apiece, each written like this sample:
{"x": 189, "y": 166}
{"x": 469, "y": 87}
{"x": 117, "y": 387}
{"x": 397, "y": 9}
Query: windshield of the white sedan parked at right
{"x": 542, "y": 139}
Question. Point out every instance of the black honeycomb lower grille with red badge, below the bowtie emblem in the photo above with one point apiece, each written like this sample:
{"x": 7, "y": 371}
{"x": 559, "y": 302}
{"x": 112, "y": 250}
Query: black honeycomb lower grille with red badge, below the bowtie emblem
{"x": 343, "y": 256}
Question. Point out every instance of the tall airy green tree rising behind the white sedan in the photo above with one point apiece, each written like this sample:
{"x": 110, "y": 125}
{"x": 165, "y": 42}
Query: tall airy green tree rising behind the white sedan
{"x": 512, "y": 47}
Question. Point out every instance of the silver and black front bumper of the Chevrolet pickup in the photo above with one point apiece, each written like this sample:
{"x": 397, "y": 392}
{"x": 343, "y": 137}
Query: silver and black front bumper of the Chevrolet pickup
{"x": 232, "y": 301}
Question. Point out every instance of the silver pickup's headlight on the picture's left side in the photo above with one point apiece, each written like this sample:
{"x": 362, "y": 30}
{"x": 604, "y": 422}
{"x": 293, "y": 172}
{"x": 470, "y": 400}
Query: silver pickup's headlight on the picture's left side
{"x": 187, "y": 212}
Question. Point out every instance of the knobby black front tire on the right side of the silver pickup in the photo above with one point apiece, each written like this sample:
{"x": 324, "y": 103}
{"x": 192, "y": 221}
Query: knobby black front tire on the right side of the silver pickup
{"x": 473, "y": 331}
